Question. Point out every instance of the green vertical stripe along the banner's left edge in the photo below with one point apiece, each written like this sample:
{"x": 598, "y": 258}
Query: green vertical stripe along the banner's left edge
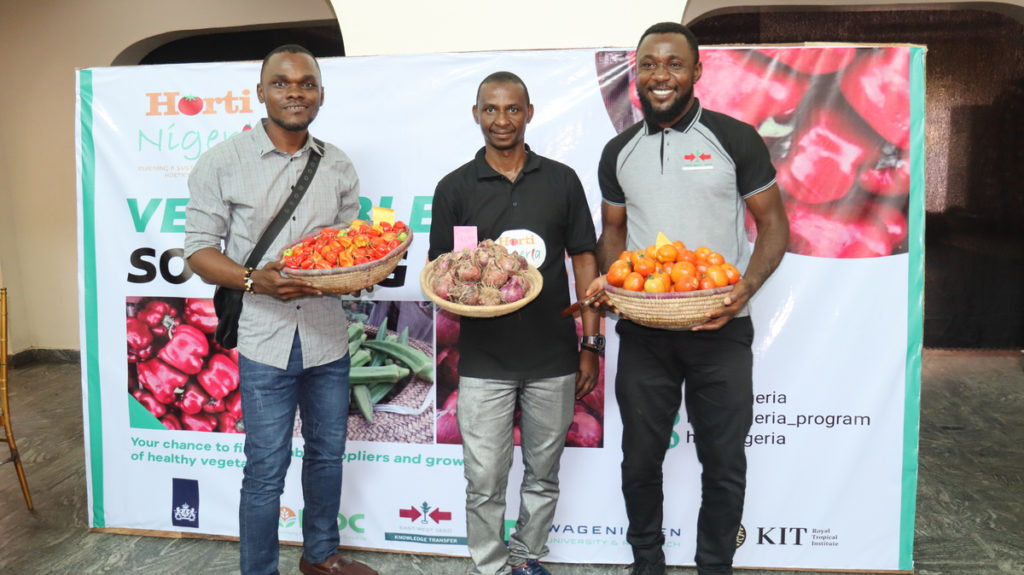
{"x": 96, "y": 438}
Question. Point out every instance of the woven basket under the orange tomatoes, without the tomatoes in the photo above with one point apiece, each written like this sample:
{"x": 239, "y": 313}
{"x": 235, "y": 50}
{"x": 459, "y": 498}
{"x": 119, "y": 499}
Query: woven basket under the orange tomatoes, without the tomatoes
{"x": 669, "y": 311}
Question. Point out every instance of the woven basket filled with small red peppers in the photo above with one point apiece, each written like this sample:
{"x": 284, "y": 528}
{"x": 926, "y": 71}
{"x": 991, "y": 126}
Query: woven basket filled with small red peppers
{"x": 345, "y": 261}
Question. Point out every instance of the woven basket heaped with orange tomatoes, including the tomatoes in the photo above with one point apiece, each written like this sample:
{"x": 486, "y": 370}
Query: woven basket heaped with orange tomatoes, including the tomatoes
{"x": 668, "y": 287}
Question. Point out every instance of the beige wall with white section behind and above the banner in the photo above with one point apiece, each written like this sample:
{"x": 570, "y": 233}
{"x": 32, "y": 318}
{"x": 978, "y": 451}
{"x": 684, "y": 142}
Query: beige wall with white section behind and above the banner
{"x": 44, "y": 41}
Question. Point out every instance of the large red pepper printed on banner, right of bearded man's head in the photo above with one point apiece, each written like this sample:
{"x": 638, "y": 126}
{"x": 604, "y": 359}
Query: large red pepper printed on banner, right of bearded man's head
{"x": 743, "y": 84}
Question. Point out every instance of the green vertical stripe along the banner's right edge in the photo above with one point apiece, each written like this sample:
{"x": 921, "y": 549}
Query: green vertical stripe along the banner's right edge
{"x": 916, "y": 311}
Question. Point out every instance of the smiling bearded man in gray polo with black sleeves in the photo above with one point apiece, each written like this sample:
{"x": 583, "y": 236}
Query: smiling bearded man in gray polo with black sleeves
{"x": 692, "y": 174}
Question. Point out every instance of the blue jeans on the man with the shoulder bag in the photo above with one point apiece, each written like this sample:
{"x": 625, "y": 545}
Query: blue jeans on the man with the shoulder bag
{"x": 270, "y": 397}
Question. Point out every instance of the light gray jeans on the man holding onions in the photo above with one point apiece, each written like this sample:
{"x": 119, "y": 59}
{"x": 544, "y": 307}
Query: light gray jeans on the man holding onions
{"x": 486, "y": 414}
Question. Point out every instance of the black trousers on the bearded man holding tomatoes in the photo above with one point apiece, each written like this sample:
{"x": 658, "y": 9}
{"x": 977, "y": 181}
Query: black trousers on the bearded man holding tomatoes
{"x": 717, "y": 369}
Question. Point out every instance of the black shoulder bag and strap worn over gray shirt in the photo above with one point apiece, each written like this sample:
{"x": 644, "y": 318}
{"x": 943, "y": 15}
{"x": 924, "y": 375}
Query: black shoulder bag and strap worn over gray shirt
{"x": 228, "y": 302}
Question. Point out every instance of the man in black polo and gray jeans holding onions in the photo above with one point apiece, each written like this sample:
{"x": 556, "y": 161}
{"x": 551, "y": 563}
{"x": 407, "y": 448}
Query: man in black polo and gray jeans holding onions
{"x": 537, "y": 207}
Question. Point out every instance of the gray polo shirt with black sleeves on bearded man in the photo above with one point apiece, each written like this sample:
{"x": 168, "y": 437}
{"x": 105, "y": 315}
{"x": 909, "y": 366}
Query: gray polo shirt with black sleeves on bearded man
{"x": 688, "y": 182}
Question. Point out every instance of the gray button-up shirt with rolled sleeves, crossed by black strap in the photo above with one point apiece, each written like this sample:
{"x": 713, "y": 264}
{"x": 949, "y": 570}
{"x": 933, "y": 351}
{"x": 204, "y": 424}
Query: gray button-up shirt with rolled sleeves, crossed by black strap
{"x": 236, "y": 190}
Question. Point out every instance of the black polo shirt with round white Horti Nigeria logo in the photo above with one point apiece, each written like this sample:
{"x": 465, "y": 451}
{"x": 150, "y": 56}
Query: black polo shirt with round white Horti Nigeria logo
{"x": 543, "y": 215}
